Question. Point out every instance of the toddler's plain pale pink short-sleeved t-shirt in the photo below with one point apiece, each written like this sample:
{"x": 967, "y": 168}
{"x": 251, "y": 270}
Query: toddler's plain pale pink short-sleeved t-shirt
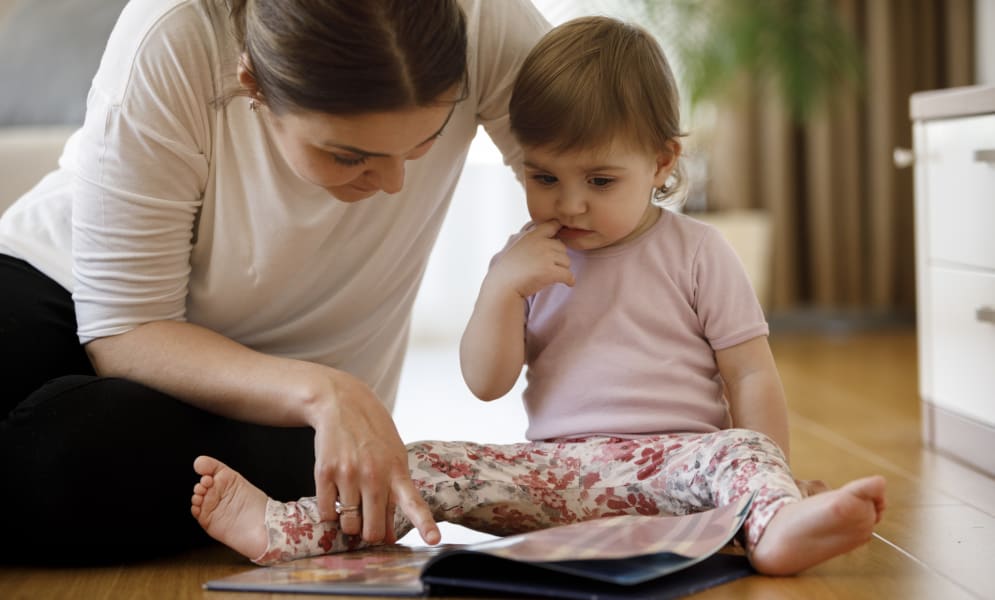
{"x": 630, "y": 349}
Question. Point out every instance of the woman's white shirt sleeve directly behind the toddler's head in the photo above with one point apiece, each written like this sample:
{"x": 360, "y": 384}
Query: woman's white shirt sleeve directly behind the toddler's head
{"x": 505, "y": 33}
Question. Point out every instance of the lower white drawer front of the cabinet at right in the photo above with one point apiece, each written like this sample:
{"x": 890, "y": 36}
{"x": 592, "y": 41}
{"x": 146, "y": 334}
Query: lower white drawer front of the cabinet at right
{"x": 962, "y": 353}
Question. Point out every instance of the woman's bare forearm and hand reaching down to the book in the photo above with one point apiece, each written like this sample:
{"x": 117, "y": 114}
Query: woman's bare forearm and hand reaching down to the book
{"x": 359, "y": 455}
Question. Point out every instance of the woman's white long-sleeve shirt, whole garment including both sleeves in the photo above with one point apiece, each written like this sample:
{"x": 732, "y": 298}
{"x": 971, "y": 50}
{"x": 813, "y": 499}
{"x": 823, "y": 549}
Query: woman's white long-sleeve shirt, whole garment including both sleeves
{"x": 170, "y": 204}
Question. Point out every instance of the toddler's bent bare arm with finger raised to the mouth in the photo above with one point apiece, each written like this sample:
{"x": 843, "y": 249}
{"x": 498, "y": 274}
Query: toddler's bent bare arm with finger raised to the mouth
{"x": 492, "y": 350}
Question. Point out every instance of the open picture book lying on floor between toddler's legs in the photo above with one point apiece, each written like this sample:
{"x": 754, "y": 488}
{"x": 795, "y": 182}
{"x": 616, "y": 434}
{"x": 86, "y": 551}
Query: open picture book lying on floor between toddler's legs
{"x": 614, "y": 557}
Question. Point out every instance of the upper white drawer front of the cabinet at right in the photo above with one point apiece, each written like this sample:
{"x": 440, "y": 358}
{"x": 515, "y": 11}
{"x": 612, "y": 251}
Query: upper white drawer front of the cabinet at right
{"x": 958, "y": 172}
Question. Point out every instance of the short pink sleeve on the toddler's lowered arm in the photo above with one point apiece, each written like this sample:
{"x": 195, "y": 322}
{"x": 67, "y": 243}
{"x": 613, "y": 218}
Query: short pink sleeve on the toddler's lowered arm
{"x": 726, "y": 305}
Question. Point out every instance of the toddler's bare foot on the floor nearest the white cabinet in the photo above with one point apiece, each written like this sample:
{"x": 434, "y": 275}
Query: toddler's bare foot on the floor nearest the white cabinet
{"x": 817, "y": 528}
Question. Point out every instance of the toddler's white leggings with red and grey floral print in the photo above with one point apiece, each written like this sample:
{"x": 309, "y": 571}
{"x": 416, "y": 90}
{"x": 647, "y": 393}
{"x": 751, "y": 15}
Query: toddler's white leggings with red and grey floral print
{"x": 507, "y": 489}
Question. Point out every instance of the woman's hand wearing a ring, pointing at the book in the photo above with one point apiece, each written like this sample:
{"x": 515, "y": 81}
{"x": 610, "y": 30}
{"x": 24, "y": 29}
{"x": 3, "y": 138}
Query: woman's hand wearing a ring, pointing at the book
{"x": 361, "y": 461}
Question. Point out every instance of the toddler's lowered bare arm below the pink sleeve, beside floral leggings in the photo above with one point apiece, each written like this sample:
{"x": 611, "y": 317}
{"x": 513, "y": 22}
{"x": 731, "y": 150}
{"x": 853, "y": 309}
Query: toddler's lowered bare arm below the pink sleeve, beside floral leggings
{"x": 756, "y": 396}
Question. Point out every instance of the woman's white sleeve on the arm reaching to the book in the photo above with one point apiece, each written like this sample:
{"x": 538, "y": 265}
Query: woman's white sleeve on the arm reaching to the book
{"x": 141, "y": 169}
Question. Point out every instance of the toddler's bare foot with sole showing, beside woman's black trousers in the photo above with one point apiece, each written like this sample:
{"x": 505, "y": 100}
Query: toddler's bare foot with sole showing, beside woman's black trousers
{"x": 229, "y": 508}
